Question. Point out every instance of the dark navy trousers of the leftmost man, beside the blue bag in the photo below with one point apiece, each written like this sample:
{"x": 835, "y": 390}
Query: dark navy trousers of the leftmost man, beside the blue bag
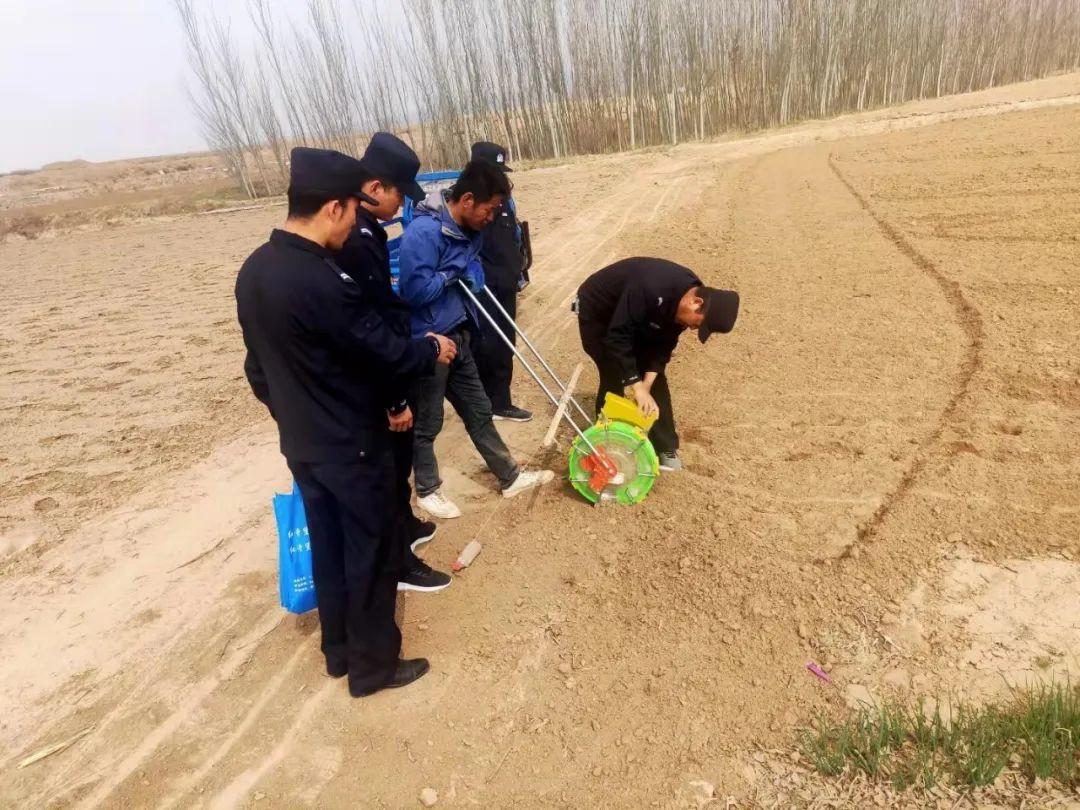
{"x": 356, "y": 552}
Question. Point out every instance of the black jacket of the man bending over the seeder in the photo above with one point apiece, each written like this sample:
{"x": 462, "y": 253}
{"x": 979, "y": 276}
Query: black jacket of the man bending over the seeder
{"x": 632, "y": 305}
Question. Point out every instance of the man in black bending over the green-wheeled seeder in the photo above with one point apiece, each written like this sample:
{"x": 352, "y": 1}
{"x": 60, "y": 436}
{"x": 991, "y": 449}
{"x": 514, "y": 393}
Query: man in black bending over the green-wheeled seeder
{"x": 631, "y": 316}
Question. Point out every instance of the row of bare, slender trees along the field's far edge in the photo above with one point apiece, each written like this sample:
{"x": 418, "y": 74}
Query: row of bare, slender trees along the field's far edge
{"x": 551, "y": 78}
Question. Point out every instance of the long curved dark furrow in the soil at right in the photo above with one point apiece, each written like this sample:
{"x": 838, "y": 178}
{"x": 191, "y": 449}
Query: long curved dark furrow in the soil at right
{"x": 970, "y": 320}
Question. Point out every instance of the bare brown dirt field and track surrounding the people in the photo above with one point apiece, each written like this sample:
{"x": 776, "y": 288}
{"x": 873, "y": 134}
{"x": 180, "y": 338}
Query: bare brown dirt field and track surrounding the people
{"x": 904, "y": 372}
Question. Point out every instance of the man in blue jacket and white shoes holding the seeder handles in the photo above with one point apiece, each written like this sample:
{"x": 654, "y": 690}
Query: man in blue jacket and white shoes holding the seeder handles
{"x": 440, "y": 251}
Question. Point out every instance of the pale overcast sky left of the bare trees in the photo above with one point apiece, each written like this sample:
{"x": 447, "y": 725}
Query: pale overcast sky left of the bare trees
{"x": 94, "y": 80}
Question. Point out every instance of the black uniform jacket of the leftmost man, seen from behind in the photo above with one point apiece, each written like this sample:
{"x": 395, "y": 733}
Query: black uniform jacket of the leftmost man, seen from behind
{"x": 318, "y": 350}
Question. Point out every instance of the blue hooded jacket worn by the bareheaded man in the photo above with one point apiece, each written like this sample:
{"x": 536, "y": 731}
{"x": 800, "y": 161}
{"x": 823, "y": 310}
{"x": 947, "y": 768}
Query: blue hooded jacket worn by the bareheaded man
{"x": 436, "y": 253}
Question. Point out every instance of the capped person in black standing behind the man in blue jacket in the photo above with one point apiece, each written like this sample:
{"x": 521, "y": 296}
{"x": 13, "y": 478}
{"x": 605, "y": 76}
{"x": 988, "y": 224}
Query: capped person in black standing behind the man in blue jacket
{"x": 503, "y": 258}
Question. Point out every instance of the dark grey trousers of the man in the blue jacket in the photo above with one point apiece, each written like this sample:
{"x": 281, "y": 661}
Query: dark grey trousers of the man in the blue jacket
{"x": 460, "y": 383}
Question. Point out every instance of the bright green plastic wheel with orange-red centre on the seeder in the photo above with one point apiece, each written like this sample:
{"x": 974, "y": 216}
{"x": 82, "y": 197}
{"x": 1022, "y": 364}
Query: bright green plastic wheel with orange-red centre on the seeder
{"x": 630, "y": 450}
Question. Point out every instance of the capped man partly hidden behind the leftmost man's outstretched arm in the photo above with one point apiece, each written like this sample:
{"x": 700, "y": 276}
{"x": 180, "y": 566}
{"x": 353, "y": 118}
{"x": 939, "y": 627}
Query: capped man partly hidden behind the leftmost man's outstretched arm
{"x": 390, "y": 168}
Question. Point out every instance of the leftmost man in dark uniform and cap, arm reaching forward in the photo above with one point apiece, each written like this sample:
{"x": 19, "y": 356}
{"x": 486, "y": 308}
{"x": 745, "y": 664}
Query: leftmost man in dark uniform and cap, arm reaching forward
{"x": 315, "y": 346}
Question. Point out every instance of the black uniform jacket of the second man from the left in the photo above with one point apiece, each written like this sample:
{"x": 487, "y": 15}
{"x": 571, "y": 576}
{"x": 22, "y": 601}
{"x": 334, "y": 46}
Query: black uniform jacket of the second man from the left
{"x": 367, "y": 260}
